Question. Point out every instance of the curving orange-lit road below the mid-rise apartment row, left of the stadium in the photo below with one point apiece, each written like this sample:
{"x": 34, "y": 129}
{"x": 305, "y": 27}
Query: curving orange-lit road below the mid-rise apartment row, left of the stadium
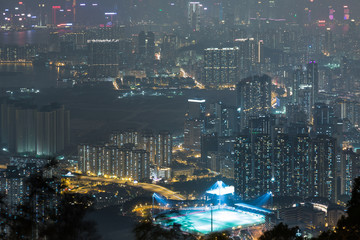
{"x": 146, "y": 186}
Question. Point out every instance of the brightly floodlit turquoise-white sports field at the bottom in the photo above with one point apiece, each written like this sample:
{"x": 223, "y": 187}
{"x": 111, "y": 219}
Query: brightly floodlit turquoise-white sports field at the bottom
{"x": 199, "y": 221}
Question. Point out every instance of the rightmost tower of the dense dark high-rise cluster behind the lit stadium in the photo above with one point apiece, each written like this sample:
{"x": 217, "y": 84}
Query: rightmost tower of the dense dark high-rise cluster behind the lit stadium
{"x": 322, "y": 167}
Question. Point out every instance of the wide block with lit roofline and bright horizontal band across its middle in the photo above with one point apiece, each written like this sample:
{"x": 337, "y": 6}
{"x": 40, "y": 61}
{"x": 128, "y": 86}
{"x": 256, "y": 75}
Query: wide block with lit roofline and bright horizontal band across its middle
{"x": 220, "y": 66}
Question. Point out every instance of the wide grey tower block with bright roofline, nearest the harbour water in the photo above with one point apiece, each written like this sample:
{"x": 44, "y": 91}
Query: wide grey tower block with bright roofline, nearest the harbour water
{"x": 104, "y": 57}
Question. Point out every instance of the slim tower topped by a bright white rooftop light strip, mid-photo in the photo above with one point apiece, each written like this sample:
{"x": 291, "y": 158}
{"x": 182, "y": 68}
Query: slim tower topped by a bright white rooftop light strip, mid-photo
{"x": 194, "y": 124}
